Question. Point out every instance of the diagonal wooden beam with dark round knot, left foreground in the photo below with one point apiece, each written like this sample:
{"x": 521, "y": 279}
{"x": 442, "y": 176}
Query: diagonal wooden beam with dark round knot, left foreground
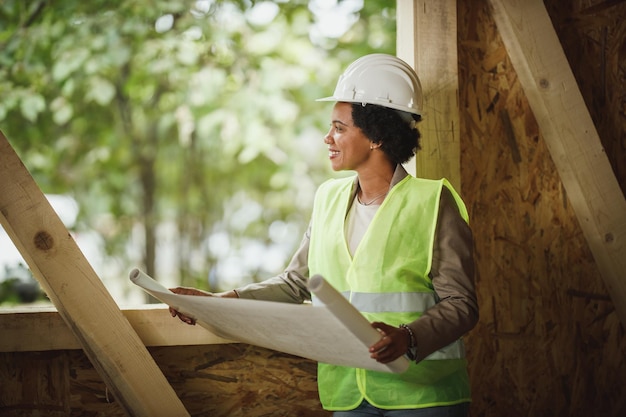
{"x": 71, "y": 283}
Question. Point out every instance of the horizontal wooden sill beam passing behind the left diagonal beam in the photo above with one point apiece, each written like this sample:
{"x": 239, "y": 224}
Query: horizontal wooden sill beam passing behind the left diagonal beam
{"x": 36, "y": 329}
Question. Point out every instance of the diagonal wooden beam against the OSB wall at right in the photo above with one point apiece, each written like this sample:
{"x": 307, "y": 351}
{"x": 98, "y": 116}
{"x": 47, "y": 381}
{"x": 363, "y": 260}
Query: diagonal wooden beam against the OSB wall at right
{"x": 570, "y": 135}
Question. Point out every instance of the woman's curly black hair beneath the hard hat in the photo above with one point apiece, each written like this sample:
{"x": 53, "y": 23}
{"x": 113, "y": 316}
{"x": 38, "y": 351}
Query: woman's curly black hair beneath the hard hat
{"x": 386, "y": 127}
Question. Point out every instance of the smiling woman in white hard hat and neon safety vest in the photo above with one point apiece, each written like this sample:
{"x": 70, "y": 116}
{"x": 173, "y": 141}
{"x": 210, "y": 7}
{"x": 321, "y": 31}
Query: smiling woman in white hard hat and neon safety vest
{"x": 398, "y": 247}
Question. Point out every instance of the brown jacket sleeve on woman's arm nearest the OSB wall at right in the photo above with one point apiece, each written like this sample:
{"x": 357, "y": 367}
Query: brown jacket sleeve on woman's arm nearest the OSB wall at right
{"x": 452, "y": 275}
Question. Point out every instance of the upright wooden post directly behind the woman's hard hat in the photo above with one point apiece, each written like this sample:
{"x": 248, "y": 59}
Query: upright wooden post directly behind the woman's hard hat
{"x": 427, "y": 40}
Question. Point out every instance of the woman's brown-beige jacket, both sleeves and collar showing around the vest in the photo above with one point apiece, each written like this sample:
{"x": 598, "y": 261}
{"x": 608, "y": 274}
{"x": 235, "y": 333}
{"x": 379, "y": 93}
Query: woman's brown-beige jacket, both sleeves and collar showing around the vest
{"x": 452, "y": 275}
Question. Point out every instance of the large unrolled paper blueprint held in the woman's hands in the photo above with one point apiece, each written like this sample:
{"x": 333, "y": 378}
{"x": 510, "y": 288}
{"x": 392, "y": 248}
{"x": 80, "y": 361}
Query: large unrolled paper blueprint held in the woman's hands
{"x": 334, "y": 333}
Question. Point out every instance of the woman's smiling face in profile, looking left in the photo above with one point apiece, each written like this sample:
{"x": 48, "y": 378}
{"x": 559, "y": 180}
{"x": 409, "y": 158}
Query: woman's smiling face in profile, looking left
{"x": 348, "y": 147}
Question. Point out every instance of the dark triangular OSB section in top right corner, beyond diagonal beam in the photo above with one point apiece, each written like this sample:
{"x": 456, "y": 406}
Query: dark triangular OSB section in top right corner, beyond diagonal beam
{"x": 593, "y": 34}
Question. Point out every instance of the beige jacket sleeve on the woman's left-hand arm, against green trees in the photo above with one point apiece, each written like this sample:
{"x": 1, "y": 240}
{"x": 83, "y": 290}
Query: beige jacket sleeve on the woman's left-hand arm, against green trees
{"x": 288, "y": 287}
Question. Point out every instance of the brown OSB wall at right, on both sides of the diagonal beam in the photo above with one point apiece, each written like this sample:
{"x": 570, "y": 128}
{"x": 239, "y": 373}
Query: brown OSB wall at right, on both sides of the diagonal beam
{"x": 548, "y": 342}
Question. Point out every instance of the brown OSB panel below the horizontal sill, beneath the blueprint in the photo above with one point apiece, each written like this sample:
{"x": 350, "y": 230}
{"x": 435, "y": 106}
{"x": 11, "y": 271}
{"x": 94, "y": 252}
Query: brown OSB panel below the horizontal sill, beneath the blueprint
{"x": 233, "y": 380}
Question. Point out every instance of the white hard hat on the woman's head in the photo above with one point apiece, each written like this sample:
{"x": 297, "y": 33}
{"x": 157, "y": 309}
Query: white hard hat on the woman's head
{"x": 380, "y": 79}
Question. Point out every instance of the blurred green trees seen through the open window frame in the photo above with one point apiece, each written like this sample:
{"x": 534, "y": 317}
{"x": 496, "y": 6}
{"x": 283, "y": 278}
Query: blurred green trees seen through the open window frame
{"x": 186, "y": 131}
